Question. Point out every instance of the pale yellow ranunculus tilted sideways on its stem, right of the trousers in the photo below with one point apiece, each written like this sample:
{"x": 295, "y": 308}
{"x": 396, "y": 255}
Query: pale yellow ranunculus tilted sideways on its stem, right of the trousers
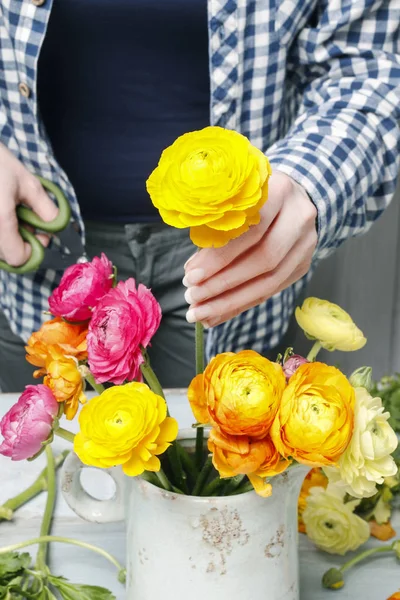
{"x": 330, "y": 325}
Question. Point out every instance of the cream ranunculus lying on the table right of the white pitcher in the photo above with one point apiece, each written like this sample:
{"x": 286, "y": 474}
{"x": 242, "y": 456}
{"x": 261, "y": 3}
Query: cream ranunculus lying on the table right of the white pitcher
{"x": 331, "y": 524}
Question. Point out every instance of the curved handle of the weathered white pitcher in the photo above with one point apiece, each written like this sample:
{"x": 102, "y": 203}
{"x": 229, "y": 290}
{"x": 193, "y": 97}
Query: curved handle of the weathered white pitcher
{"x": 82, "y": 503}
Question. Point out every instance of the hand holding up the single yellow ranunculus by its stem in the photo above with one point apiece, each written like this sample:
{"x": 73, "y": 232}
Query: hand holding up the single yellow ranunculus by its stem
{"x": 224, "y": 282}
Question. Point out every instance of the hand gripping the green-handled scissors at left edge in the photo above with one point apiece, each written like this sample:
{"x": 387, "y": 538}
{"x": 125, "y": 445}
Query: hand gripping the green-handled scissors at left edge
{"x": 19, "y": 186}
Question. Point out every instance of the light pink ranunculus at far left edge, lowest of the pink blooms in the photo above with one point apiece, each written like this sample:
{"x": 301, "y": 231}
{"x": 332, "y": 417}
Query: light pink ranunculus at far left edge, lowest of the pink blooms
{"x": 28, "y": 423}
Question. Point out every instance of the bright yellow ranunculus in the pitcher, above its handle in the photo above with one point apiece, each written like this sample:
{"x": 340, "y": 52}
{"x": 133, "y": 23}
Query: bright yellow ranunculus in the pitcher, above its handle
{"x": 126, "y": 425}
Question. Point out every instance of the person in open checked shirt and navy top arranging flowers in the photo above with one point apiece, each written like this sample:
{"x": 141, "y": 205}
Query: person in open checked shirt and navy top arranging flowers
{"x": 315, "y": 84}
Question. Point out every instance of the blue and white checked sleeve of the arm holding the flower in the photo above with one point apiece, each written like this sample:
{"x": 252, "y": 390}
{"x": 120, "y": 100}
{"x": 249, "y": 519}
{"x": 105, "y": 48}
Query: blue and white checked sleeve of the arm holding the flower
{"x": 344, "y": 145}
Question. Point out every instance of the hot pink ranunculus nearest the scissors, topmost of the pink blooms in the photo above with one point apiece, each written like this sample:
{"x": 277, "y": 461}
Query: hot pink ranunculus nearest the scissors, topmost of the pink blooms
{"x": 80, "y": 289}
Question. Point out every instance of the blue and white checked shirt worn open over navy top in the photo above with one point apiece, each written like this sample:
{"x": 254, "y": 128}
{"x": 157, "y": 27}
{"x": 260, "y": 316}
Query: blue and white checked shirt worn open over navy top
{"x": 313, "y": 83}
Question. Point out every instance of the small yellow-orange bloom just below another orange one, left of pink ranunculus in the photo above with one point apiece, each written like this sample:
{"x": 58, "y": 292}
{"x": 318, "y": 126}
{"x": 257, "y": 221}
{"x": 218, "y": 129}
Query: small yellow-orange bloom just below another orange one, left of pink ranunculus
{"x": 65, "y": 381}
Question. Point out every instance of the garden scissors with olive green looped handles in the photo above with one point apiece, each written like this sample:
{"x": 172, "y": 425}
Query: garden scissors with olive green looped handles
{"x": 65, "y": 251}
